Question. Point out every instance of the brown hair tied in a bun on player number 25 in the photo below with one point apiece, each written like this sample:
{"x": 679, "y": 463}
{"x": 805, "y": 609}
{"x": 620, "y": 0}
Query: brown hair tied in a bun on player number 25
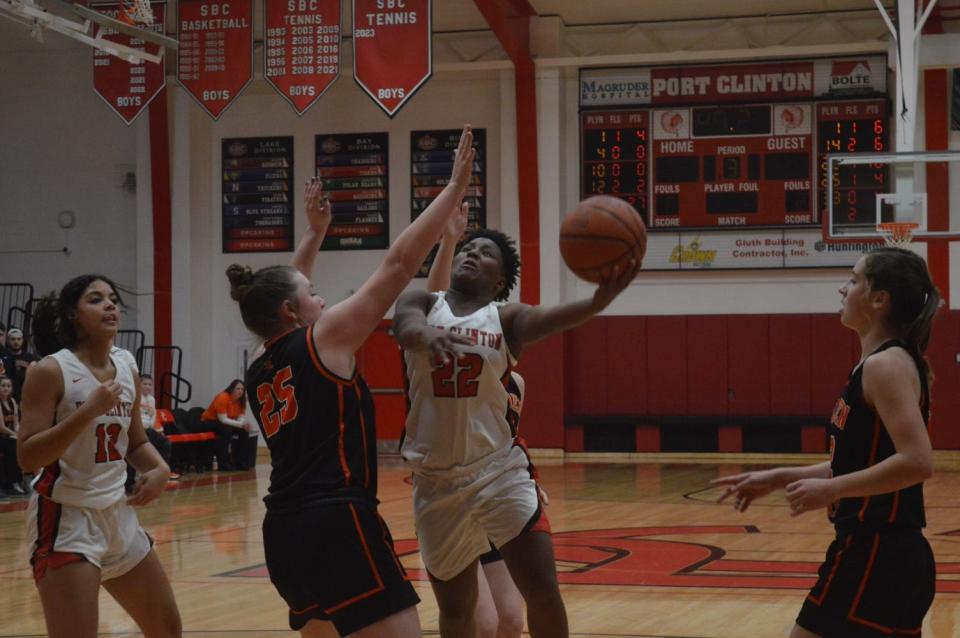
{"x": 260, "y": 295}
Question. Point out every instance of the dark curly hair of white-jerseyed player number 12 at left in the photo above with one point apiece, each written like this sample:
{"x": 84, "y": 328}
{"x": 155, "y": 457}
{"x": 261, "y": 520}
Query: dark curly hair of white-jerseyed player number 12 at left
{"x": 52, "y": 327}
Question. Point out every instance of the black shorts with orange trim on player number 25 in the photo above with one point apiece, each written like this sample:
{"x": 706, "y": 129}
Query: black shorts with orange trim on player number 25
{"x": 336, "y": 562}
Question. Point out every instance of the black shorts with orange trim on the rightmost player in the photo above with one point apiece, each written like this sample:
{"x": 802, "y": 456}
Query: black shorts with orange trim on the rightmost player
{"x": 872, "y": 584}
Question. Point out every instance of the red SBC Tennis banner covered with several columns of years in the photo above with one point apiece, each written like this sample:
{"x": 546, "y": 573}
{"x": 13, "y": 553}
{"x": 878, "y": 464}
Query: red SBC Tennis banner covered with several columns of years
{"x": 301, "y": 53}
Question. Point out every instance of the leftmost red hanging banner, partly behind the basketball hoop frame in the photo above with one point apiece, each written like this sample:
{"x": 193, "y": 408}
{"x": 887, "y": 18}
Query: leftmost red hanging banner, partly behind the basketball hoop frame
{"x": 128, "y": 88}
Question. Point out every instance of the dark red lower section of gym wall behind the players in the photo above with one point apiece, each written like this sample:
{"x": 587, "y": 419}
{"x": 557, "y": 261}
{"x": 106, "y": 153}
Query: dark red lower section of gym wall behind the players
{"x": 757, "y": 366}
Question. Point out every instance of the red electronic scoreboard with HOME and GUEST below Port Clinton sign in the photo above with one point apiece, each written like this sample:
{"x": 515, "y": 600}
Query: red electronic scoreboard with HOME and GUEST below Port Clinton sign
{"x": 736, "y": 165}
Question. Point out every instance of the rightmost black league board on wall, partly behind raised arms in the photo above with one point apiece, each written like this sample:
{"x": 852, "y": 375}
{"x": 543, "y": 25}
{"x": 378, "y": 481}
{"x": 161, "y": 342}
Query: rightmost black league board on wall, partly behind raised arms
{"x": 431, "y": 162}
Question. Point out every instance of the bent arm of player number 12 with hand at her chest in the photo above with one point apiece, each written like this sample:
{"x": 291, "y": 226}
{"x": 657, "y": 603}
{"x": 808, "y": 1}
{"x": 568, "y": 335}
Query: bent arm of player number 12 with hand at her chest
{"x": 42, "y": 440}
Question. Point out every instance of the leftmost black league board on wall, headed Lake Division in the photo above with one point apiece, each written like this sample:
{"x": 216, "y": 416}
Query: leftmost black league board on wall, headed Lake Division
{"x": 257, "y": 194}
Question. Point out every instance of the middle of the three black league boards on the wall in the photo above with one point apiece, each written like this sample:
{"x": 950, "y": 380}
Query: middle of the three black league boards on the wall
{"x": 353, "y": 168}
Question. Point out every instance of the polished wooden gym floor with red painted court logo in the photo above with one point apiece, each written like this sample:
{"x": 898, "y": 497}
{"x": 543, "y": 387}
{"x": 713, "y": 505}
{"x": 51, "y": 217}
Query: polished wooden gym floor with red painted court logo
{"x": 642, "y": 549}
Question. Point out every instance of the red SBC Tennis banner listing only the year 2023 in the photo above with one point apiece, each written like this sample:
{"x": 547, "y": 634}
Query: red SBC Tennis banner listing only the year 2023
{"x": 392, "y": 55}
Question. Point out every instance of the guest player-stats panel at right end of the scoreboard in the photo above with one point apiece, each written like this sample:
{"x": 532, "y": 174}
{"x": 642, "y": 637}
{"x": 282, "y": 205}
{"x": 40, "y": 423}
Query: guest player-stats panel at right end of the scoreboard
{"x": 853, "y": 127}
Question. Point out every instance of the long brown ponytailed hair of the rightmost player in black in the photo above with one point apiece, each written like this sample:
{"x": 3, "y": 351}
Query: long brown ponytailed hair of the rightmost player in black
{"x": 914, "y": 300}
